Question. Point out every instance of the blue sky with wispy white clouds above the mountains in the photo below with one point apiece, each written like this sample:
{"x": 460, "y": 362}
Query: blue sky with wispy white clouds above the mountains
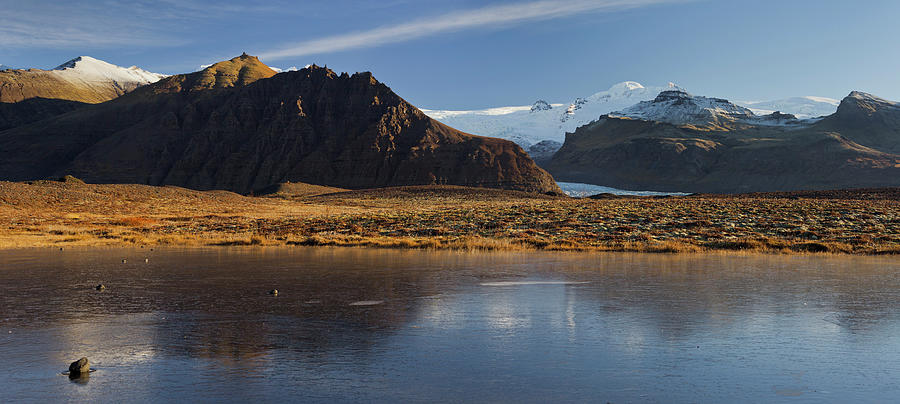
{"x": 466, "y": 54}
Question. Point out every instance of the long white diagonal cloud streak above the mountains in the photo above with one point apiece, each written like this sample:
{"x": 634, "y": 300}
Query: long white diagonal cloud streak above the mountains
{"x": 493, "y": 17}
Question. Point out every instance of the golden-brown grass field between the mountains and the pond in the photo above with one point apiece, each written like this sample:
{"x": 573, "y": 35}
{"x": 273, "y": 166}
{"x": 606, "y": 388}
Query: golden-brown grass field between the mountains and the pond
{"x": 71, "y": 213}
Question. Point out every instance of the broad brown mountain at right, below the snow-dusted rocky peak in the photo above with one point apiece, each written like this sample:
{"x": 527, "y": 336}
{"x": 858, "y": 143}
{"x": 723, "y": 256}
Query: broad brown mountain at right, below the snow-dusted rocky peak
{"x": 858, "y": 146}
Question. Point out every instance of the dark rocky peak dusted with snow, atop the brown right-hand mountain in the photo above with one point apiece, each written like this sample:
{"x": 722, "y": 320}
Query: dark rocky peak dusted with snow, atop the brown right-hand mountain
{"x": 681, "y": 108}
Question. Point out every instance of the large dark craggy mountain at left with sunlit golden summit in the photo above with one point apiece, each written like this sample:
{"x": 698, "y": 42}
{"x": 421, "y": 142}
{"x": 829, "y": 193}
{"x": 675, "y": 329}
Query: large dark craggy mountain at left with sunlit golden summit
{"x": 238, "y": 126}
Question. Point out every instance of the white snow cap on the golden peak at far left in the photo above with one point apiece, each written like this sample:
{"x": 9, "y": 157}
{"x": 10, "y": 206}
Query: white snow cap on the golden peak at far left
{"x": 87, "y": 70}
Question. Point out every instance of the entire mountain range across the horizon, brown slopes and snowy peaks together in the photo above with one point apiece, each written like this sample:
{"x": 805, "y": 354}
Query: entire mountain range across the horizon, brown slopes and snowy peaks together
{"x": 242, "y": 126}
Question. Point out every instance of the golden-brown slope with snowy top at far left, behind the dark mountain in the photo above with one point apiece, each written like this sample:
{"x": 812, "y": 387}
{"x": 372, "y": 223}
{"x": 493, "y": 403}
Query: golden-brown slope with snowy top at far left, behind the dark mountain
{"x": 32, "y": 95}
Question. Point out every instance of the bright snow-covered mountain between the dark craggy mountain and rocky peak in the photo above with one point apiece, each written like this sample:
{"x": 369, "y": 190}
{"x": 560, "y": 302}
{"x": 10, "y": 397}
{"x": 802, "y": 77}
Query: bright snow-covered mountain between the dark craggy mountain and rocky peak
{"x": 531, "y": 124}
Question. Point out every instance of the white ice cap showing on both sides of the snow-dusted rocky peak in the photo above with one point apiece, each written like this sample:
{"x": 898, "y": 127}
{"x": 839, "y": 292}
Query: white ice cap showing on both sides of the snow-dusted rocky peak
{"x": 526, "y": 127}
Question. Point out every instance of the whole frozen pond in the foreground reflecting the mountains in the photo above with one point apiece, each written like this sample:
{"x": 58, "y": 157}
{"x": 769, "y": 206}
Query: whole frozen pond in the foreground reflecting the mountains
{"x": 364, "y": 325}
